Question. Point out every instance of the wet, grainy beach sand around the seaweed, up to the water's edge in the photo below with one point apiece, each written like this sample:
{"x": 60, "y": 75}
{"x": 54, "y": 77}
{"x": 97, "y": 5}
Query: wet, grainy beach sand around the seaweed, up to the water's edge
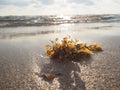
{"x": 23, "y": 61}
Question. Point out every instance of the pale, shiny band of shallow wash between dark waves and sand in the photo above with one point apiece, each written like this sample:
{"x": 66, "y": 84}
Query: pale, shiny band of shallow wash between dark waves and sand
{"x": 15, "y": 32}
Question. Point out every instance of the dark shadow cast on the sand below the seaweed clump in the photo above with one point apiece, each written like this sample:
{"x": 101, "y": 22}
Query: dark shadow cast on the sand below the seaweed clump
{"x": 67, "y": 73}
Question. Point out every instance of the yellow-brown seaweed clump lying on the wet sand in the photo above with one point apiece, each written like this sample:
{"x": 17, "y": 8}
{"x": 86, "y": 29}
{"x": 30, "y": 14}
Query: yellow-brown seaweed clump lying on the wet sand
{"x": 69, "y": 49}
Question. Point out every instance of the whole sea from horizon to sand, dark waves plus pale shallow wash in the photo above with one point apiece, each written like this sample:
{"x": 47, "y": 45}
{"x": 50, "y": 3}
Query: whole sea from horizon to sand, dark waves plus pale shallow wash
{"x": 17, "y": 26}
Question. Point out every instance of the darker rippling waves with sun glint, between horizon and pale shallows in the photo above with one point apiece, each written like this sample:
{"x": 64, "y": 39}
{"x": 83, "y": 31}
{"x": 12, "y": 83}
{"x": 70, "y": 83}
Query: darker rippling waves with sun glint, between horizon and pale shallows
{"x": 56, "y": 20}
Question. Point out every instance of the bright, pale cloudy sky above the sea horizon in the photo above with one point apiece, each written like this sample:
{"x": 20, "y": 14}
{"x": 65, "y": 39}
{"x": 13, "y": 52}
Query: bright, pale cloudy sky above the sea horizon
{"x": 58, "y": 7}
